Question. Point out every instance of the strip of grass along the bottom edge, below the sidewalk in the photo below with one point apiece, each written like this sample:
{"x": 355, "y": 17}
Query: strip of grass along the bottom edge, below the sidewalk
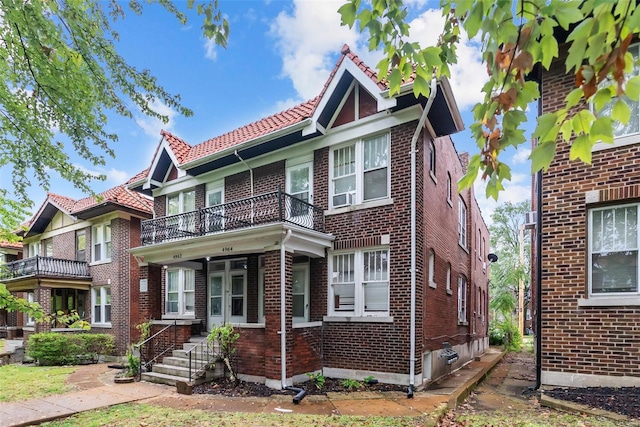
{"x": 136, "y": 415}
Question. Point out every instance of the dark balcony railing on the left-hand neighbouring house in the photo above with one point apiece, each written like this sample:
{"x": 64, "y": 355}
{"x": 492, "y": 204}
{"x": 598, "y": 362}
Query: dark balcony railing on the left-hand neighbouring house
{"x": 43, "y": 266}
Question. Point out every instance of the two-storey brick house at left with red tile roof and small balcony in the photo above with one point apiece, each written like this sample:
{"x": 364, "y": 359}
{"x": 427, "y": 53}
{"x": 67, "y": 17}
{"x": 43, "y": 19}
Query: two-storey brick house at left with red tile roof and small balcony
{"x": 76, "y": 258}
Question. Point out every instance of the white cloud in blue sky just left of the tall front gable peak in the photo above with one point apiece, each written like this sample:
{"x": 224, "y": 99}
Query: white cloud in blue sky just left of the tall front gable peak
{"x": 309, "y": 39}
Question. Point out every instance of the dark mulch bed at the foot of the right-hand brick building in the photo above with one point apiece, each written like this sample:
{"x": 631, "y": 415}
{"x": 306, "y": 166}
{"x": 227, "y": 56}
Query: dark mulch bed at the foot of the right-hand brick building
{"x": 621, "y": 400}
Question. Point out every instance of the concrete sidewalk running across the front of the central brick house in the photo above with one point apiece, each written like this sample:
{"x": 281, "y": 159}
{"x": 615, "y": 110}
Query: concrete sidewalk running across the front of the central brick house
{"x": 100, "y": 391}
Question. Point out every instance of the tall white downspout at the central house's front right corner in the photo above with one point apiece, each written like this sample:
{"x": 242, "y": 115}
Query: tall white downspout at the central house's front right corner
{"x": 414, "y": 140}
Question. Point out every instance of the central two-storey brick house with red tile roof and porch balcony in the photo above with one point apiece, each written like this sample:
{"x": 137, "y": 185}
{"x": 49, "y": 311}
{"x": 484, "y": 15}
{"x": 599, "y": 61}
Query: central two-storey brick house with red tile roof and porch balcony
{"x": 297, "y": 229}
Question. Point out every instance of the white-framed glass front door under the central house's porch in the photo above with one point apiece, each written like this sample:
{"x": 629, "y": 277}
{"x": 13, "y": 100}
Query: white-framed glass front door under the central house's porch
{"x": 227, "y": 292}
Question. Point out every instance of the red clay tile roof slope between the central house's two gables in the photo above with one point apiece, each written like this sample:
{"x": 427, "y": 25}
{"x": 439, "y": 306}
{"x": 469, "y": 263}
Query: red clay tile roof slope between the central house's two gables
{"x": 254, "y": 130}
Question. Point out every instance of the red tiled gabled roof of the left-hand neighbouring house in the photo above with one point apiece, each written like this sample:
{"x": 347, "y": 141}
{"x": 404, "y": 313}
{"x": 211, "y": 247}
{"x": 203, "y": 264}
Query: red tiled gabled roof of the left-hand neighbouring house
{"x": 118, "y": 198}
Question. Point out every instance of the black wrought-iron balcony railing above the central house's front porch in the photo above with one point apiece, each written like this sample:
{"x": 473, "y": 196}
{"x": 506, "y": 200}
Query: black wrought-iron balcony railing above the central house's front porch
{"x": 268, "y": 208}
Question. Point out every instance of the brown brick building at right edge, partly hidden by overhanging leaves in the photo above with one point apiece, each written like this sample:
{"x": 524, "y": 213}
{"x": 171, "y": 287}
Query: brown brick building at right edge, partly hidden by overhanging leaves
{"x": 589, "y": 255}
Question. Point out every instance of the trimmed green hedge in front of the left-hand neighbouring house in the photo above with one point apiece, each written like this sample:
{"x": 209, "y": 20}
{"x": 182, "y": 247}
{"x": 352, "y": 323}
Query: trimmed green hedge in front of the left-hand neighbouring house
{"x": 51, "y": 348}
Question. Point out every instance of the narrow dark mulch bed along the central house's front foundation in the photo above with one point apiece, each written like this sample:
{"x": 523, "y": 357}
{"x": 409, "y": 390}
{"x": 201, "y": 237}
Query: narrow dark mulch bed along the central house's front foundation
{"x": 224, "y": 387}
